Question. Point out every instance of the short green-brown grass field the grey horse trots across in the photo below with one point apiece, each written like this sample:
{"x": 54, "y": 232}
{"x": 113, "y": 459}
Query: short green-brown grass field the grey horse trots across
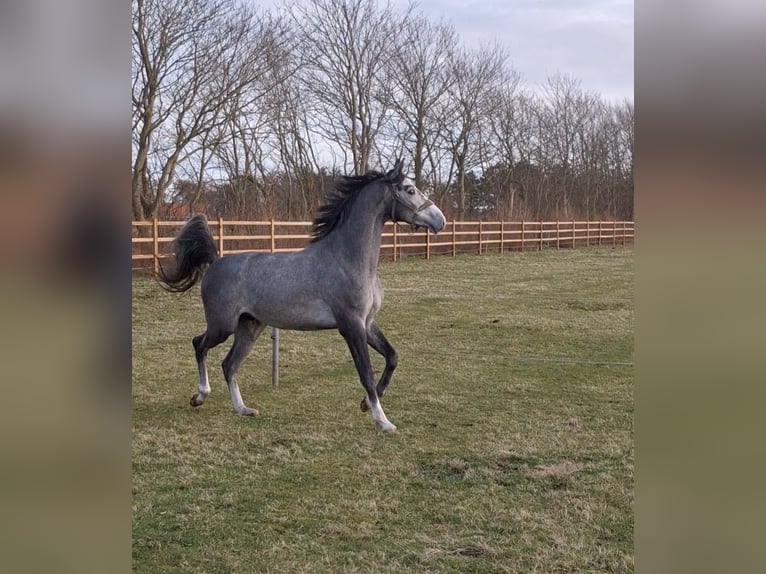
{"x": 514, "y": 404}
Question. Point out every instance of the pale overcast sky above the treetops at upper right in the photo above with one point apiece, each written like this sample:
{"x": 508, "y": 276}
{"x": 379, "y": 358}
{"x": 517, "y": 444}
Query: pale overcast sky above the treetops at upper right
{"x": 590, "y": 40}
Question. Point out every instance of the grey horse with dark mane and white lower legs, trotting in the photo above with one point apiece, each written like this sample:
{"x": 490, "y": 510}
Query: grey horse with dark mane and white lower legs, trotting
{"x": 332, "y": 283}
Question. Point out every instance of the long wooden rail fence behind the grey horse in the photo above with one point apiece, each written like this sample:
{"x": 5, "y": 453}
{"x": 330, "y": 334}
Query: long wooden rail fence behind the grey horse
{"x": 150, "y": 238}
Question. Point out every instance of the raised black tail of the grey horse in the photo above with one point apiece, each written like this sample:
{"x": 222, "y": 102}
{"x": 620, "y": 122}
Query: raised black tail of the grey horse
{"x": 193, "y": 250}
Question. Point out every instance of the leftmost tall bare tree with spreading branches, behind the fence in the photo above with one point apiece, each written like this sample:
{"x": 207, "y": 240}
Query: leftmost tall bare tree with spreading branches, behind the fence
{"x": 190, "y": 57}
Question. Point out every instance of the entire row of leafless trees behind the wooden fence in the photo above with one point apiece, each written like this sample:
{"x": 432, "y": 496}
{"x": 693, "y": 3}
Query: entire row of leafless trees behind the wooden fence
{"x": 244, "y": 112}
